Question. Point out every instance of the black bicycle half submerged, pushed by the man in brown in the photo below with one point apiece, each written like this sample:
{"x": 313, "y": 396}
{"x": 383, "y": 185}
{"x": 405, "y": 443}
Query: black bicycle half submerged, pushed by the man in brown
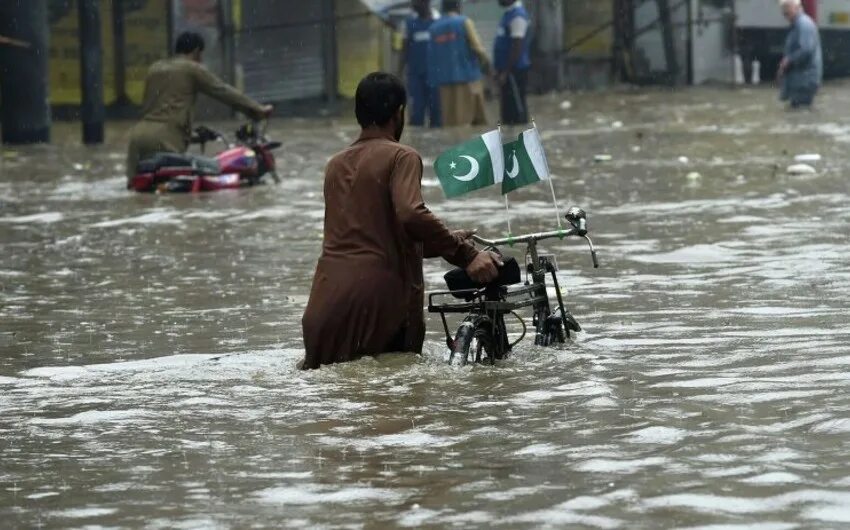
{"x": 482, "y": 335}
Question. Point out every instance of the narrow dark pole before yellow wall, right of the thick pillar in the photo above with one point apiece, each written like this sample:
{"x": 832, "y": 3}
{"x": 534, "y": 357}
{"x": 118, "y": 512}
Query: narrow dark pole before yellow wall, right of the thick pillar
{"x": 91, "y": 71}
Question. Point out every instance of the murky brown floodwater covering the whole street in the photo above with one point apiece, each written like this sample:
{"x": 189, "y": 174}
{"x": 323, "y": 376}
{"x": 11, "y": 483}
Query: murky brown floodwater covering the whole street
{"x": 148, "y": 343}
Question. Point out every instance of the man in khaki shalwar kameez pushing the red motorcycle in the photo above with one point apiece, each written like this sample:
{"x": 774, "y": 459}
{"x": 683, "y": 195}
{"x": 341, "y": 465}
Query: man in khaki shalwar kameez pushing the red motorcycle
{"x": 171, "y": 87}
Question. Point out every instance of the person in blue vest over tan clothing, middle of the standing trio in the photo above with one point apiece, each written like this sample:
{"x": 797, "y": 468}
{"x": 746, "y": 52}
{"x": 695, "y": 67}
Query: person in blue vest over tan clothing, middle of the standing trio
{"x": 455, "y": 65}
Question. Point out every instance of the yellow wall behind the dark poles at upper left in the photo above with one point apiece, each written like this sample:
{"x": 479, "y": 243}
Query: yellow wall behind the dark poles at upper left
{"x": 146, "y": 41}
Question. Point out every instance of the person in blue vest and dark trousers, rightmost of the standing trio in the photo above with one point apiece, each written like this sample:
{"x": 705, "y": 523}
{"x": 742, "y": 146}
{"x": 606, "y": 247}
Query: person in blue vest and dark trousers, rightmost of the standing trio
{"x": 511, "y": 60}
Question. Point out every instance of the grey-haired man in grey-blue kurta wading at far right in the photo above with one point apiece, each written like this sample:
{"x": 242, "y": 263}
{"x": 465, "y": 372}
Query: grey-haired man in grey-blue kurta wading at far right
{"x": 801, "y": 69}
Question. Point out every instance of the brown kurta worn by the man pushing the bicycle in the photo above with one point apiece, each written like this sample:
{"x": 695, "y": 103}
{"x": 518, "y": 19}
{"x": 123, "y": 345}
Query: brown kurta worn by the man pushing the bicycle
{"x": 368, "y": 291}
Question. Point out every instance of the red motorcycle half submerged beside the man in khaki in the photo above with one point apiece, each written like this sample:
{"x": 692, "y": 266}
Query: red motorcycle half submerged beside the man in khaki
{"x": 240, "y": 165}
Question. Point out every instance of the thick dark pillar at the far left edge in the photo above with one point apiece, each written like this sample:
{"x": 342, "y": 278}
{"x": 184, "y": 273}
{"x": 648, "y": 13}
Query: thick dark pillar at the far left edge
{"x": 24, "y": 72}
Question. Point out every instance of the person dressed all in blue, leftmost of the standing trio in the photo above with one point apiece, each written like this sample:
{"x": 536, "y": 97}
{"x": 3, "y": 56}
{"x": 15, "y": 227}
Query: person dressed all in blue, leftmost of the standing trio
{"x": 424, "y": 96}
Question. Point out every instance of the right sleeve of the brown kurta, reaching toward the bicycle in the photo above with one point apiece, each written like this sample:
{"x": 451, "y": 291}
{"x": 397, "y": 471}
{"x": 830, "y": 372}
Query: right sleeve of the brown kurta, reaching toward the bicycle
{"x": 418, "y": 221}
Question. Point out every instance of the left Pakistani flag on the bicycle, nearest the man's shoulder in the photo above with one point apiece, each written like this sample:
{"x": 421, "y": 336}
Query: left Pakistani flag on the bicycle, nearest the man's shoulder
{"x": 471, "y": 166}
